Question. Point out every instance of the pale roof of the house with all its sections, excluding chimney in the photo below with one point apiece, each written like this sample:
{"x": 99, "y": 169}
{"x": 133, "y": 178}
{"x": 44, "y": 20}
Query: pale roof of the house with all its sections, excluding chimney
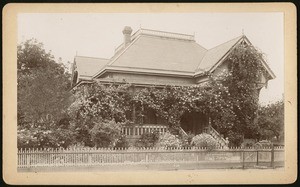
{"x": 158, "y": 52}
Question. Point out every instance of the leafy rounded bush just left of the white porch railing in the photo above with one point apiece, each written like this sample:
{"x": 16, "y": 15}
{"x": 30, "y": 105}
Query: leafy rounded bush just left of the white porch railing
{"x": 105, "y": 133}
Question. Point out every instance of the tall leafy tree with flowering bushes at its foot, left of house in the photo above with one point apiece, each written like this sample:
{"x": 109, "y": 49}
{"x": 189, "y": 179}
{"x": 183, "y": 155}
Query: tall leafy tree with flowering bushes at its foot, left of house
{"x": 43, "y": 97}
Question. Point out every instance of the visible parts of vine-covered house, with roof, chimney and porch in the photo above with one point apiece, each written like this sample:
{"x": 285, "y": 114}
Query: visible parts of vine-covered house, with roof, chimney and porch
{"x": 150, "y": 57}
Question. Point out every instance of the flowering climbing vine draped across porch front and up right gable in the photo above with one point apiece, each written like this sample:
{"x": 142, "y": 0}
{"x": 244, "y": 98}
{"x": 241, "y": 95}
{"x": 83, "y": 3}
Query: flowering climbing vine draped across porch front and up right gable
{"x": 230, "y": 99}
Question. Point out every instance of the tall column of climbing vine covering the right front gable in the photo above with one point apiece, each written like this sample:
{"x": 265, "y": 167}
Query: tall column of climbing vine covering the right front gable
{"x": 241, "y": 79}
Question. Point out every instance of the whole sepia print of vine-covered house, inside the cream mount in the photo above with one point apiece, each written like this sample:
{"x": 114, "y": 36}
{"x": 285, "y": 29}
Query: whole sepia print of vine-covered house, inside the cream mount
{"x": 150, "y": 92}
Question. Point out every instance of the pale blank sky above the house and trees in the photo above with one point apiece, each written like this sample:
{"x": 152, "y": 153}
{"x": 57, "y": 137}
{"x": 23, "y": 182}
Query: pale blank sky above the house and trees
{"x": 97, "y": 35}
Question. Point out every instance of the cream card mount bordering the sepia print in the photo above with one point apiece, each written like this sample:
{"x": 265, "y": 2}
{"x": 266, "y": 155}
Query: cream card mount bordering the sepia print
{"x": 234, "y": 176}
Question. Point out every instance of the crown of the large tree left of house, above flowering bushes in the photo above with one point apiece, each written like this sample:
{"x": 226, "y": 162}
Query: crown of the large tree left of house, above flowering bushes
{"x": 42, "y": 84}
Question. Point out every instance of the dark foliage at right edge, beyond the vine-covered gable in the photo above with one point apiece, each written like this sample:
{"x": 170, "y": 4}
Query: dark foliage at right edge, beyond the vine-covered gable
{"x": 271, "y": 121}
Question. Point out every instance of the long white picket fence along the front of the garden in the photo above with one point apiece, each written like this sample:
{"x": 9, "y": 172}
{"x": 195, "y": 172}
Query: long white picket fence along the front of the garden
{"x": 29, "y": 158}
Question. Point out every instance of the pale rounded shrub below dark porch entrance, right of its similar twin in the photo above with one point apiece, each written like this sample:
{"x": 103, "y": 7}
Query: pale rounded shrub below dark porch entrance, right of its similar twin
{"x": 204, "y": 140}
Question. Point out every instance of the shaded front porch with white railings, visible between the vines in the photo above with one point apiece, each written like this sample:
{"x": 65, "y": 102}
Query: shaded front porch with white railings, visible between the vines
{"x": 190, "y": 122}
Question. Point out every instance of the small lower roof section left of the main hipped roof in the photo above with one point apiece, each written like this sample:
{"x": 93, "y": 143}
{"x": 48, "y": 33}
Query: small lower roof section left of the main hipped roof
{"x": 88, "y": 66}
